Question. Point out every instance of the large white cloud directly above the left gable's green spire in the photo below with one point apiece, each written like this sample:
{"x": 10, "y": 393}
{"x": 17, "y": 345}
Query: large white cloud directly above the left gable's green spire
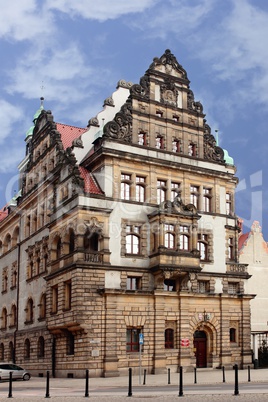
{"x": 62, "y": 71}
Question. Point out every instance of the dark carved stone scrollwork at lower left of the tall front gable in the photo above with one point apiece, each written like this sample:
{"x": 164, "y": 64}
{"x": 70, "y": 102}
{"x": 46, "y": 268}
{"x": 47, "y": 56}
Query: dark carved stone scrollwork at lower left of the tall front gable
{"x": 120, "y": 128}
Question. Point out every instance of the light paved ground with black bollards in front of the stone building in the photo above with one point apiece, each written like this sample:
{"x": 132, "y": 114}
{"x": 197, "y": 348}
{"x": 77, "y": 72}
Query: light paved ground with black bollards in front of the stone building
{"x": 103, "y": 389}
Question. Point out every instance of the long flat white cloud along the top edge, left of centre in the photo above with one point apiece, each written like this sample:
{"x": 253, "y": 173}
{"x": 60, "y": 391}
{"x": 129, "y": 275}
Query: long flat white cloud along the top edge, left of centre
{"x": 99, "y": 10}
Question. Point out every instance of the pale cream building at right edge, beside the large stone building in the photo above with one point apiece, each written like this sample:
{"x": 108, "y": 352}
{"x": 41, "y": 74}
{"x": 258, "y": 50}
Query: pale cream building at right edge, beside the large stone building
{"x": 253, "y": 251}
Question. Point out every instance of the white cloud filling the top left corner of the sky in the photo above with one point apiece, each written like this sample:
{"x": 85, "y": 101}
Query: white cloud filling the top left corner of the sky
{"x": 24, "y": 20}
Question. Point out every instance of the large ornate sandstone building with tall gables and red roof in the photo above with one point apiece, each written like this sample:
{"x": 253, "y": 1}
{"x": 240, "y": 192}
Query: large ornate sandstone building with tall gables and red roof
{"x": 125, "y": 230}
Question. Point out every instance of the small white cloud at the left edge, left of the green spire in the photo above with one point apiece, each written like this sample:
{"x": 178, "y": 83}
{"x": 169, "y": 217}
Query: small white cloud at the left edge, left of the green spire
{"x": 9, "y": 115}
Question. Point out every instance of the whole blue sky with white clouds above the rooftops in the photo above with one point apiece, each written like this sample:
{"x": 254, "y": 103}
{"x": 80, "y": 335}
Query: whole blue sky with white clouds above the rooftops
{"x": 74, "y": 52}
